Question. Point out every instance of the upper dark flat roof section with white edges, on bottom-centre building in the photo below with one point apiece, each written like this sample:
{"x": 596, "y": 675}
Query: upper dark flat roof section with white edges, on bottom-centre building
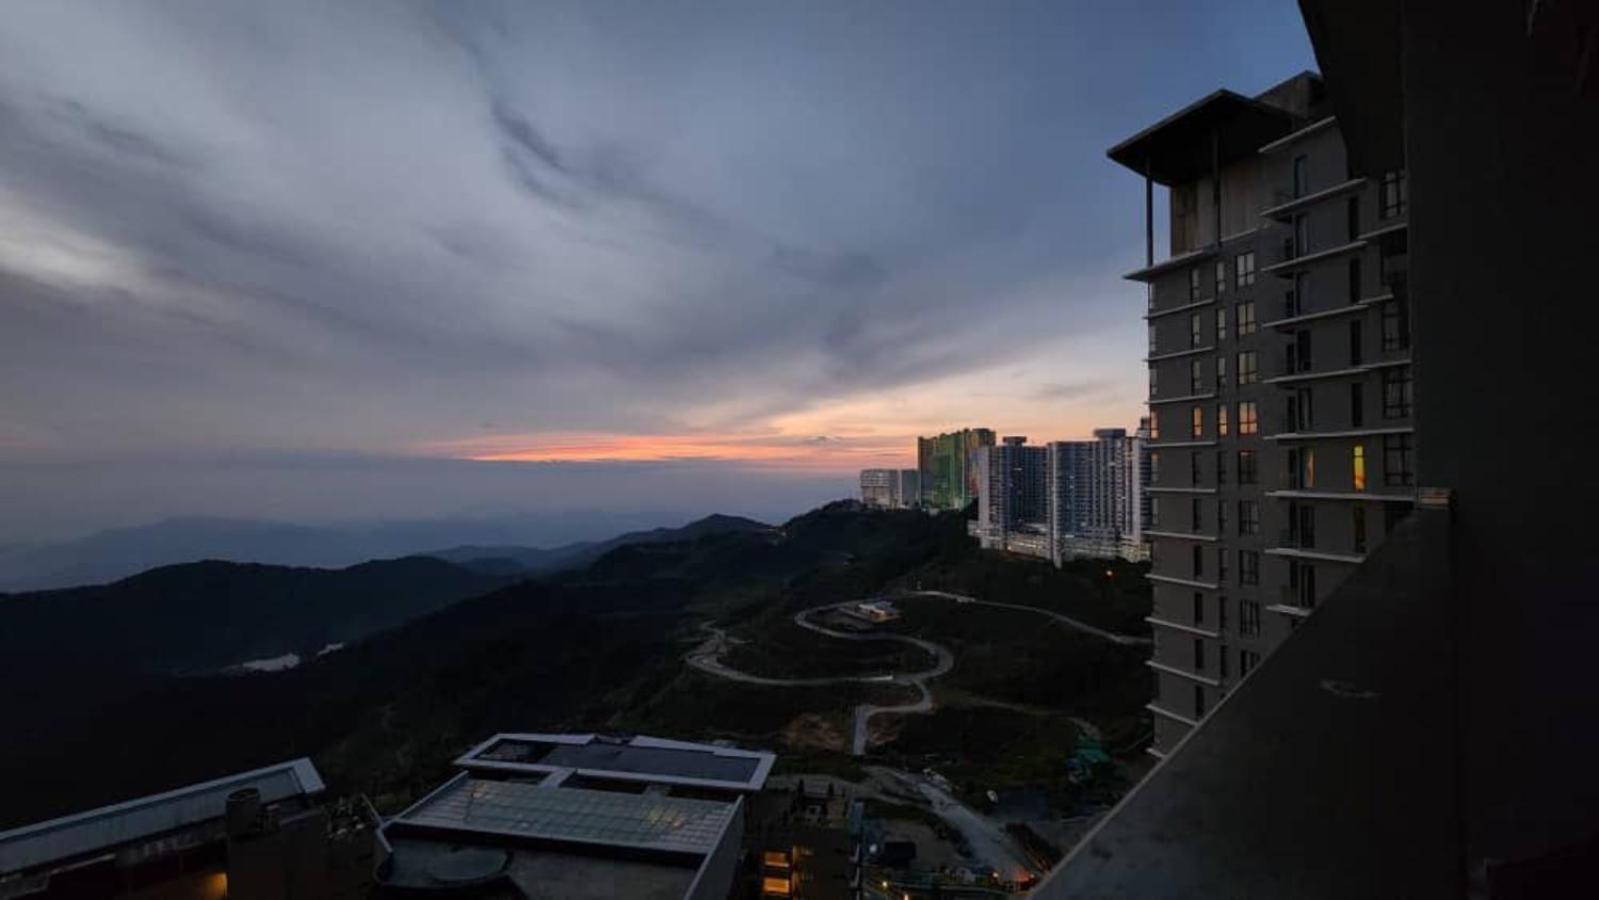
{"x": 636, "y": 760}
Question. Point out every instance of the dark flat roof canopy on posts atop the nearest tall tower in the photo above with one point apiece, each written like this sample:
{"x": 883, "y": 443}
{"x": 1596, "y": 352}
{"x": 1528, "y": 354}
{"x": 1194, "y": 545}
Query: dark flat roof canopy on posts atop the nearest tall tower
{"x": 1178, "y": 149}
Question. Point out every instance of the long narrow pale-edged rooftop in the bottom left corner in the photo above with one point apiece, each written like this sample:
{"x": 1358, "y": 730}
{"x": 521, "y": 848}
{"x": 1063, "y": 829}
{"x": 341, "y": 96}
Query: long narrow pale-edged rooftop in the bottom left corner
{"x": 111, "y": 827}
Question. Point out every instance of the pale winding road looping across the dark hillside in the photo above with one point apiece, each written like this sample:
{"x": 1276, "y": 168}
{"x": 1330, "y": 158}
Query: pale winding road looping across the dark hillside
{"x": 708, "y": 658}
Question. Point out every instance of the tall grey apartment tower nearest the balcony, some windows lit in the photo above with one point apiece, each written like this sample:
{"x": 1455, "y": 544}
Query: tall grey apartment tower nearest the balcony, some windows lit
{"x": 1282, "y": 444}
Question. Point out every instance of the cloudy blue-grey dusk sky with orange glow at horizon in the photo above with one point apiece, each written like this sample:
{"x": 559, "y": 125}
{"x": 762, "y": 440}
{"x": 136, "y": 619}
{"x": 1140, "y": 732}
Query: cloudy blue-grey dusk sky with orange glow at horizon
{"x": 325, "y": 261}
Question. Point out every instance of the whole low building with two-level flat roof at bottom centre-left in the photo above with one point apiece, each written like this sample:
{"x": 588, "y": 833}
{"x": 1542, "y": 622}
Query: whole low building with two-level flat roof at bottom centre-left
{"x": 578, "y": 816}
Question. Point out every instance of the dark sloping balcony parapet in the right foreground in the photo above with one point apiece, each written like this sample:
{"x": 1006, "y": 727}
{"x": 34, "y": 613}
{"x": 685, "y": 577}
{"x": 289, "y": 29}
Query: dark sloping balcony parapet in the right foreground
{"x": 1286, "y": 789}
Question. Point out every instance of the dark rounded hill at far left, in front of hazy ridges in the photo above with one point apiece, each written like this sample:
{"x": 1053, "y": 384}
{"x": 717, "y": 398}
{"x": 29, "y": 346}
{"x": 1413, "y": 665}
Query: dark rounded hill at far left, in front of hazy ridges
{"x": 66, "y": 648}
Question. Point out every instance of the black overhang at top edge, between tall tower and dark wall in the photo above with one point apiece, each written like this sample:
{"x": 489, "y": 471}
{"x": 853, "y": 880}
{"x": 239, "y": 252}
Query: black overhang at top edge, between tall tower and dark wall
{"x": 1360, "y": 55}
